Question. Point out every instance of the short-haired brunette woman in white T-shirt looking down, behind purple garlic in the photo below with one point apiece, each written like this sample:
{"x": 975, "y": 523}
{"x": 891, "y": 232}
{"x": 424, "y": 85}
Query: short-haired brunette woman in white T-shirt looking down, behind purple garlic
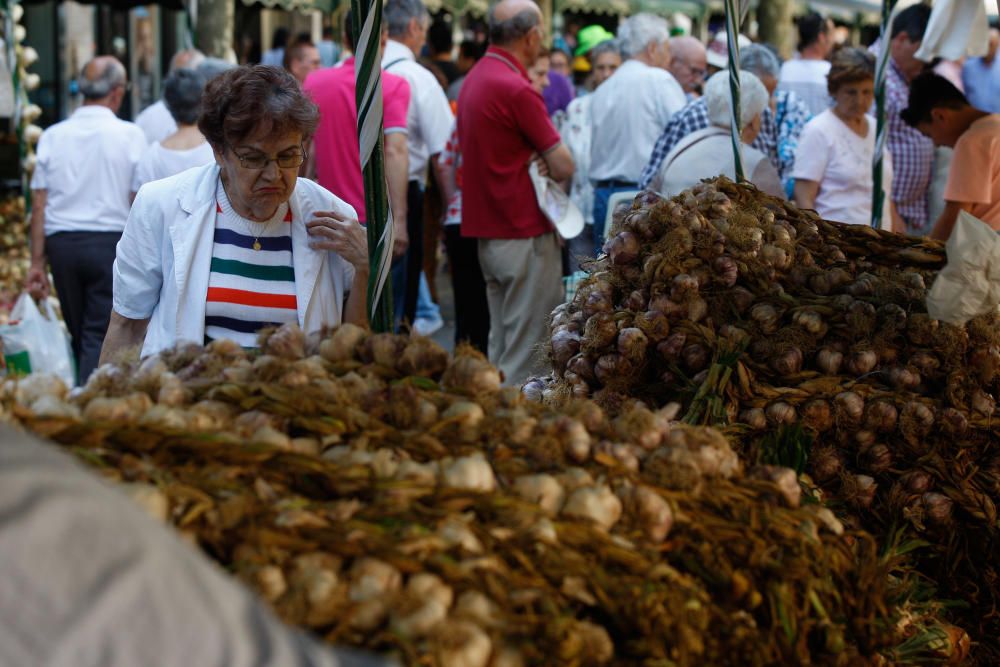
{"x": 833, "y": 162}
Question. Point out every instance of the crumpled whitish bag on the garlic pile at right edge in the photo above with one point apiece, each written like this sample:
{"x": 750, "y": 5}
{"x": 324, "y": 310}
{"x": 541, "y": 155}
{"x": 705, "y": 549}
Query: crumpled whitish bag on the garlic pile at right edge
{"x": 969, "y": 285}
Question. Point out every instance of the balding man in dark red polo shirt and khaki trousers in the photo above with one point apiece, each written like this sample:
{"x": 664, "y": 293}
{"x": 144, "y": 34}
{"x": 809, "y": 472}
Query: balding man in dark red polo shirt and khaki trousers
{"x": 502, "y": 127}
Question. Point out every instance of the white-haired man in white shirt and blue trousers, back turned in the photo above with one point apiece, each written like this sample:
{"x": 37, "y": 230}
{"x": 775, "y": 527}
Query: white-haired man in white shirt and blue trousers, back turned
{"x": 630, "y": 110}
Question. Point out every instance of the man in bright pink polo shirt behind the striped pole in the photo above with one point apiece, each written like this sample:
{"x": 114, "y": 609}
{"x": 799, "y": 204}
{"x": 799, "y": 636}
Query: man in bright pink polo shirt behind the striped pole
{"x": 336, "y": 150}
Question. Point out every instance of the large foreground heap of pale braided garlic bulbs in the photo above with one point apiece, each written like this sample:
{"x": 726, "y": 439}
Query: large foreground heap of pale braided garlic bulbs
{"x": 384, "y": 494}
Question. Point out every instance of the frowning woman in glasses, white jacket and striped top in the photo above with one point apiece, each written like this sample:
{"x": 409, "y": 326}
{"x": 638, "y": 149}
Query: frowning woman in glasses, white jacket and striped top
{"x": 224, "y": 250}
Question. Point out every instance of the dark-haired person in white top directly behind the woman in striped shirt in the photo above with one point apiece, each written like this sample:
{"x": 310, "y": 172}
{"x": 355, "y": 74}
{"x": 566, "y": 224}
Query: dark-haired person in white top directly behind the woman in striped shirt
{"x": 186, "y": 147}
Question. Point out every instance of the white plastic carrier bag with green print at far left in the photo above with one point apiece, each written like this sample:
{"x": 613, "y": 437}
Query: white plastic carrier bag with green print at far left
{"x": 34, "y": 342}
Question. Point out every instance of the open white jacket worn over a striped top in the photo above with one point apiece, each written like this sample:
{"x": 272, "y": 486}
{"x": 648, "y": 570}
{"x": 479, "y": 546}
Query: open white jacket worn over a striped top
{"x": 164, "y": 257}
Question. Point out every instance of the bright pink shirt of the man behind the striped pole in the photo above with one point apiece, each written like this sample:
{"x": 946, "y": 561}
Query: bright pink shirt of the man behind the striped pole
{"x": 338, "y": 161}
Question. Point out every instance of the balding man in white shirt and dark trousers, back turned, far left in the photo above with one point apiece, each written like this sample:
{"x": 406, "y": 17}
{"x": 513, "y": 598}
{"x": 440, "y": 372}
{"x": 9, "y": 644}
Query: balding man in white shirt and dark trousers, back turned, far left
{"x": 80, "y": 200}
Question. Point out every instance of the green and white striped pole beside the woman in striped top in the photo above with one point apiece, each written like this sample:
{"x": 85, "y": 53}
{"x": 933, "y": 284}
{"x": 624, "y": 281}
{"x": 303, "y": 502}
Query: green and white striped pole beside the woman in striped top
{"x": 367, "y": 26}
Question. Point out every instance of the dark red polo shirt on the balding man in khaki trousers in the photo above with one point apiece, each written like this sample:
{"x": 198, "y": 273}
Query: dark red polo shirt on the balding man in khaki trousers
{"x": 502, "y": 122}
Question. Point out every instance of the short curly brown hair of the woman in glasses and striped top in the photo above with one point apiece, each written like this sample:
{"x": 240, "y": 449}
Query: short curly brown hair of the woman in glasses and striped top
{"x": 251, "y": 100}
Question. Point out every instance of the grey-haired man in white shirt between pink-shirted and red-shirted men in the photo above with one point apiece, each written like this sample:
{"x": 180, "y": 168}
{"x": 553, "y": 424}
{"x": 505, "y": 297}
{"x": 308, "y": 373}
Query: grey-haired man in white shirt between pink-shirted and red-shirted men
{"x": 428, "y": 123}
